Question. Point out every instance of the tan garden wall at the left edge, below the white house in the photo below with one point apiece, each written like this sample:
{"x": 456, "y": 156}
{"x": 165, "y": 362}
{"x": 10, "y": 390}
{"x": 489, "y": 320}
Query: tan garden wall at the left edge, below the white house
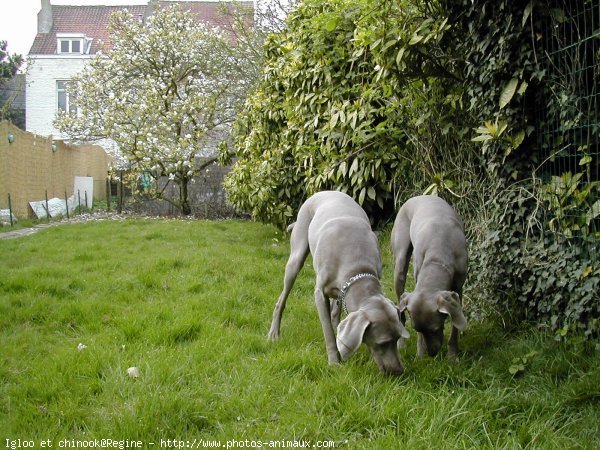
{"x": 29, "y": 168}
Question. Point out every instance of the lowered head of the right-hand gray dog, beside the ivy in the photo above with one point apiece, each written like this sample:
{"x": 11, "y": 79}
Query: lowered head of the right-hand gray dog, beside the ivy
{"x": 429, "y": 312}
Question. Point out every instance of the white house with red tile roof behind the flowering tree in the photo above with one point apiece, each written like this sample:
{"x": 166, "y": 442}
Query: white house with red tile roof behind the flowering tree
{"x": 67, "y": 37}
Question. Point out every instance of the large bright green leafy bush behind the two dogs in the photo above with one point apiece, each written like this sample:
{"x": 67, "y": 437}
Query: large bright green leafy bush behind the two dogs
{"x": 329, "y": 113}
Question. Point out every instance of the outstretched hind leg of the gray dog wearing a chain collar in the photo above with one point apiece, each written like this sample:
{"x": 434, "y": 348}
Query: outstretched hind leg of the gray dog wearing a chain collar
{"x": 298, "y": 253}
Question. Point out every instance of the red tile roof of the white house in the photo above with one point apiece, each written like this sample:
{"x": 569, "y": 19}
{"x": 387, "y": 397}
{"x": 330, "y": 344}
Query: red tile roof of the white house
{"x": 93, "y": 22}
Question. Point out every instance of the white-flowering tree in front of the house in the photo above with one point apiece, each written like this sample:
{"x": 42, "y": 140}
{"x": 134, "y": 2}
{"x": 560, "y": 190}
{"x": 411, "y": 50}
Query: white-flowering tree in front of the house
{"x": 164, "y": 93}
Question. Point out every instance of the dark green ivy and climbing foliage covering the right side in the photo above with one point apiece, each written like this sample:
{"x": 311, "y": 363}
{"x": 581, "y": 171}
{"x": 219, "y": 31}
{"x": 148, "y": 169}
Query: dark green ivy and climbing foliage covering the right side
{"x": 537, "y": 256}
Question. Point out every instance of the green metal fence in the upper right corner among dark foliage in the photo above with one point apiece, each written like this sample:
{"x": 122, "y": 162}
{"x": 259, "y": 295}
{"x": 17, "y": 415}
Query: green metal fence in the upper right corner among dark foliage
{"x": 570, "y": 122}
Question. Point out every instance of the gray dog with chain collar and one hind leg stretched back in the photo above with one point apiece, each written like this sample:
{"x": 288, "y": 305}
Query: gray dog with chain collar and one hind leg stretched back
{"x": 337, "y": 232}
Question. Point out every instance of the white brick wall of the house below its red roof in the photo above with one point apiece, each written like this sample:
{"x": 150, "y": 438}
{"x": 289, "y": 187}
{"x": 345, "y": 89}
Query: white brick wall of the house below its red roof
{"x": 42, "y": 102}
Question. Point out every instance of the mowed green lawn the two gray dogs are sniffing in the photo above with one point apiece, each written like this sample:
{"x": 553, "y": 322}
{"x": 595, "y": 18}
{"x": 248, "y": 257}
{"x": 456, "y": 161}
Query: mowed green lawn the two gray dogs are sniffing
{"x": 190, "y": 302}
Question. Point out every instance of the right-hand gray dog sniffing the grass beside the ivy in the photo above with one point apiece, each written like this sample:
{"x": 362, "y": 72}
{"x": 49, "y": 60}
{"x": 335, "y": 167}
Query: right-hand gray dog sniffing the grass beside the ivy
{"x": 429, "y": 228}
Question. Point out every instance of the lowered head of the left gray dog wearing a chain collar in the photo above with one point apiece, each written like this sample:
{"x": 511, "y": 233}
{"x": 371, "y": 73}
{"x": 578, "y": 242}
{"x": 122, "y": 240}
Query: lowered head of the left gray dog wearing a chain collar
{"x": 378, "y": 326}
